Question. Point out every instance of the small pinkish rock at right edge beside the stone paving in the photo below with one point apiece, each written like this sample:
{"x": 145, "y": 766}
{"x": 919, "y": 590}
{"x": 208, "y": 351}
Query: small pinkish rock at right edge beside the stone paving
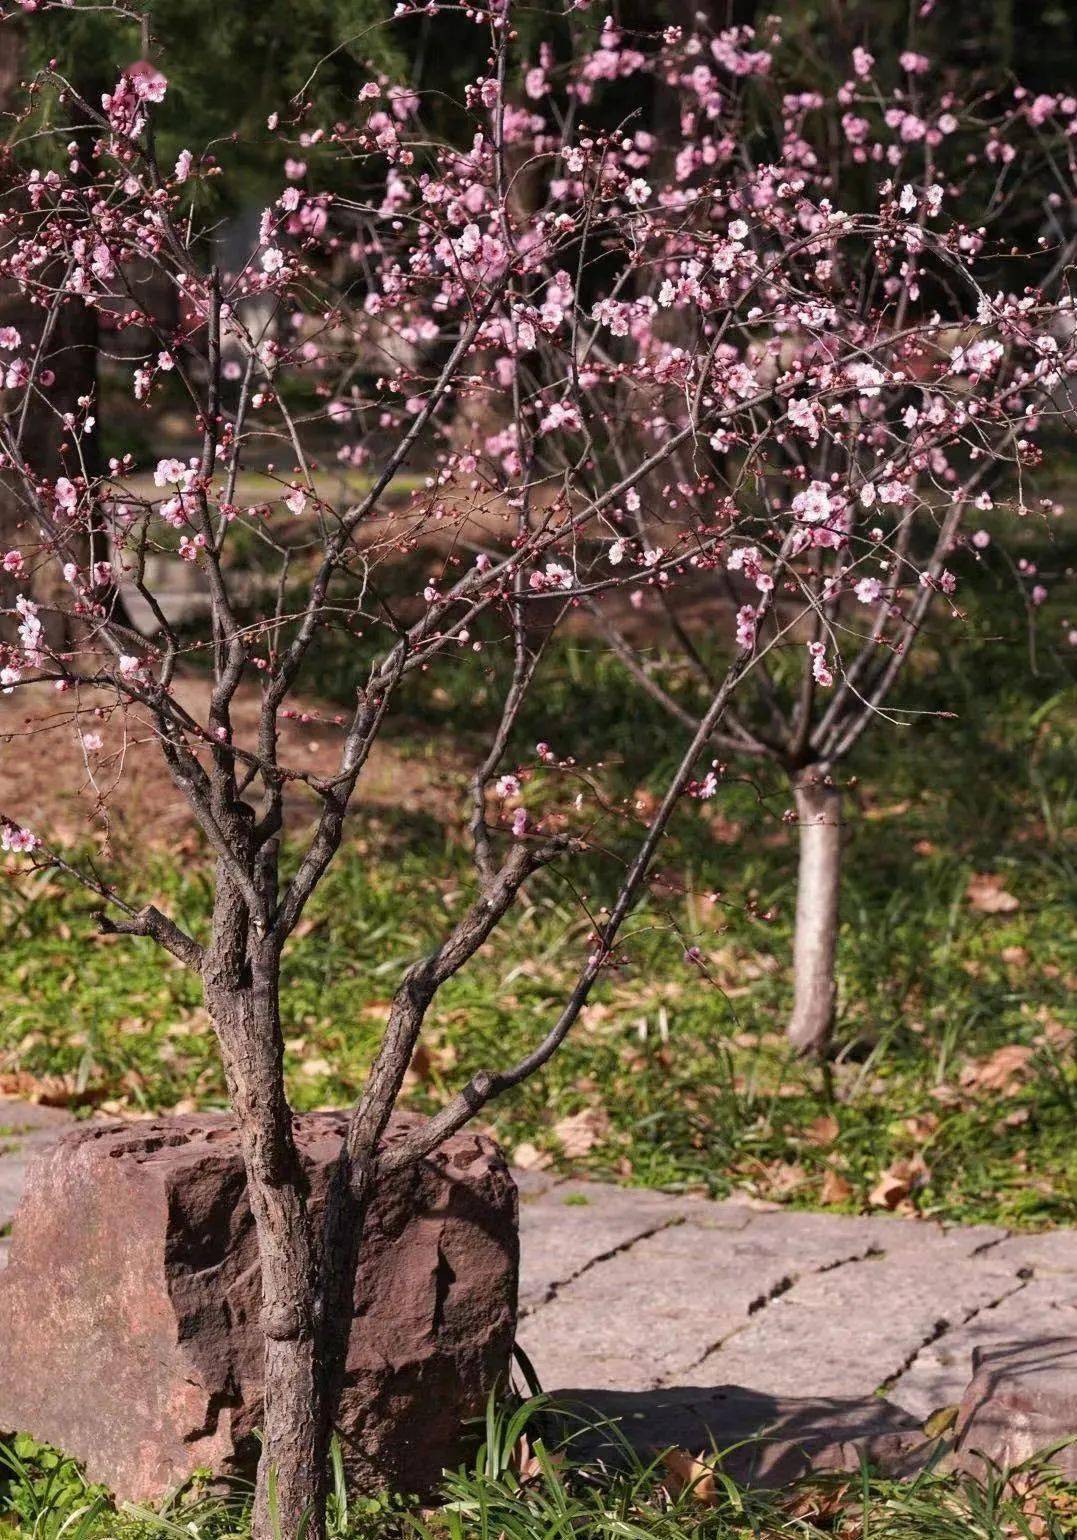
{"x": 1022, "y": 1402}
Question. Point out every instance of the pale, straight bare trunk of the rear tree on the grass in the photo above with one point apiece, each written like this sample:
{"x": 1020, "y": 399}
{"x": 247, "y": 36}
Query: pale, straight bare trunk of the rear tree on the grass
{"x": 819, "y": 888}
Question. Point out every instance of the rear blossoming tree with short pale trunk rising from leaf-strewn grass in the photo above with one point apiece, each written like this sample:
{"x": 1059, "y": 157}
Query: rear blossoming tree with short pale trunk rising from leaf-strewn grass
{"x": 921, "y": 326}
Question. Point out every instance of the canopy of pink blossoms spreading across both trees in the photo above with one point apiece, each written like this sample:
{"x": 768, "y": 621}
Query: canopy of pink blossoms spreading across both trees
{"x": 708, "y": 363}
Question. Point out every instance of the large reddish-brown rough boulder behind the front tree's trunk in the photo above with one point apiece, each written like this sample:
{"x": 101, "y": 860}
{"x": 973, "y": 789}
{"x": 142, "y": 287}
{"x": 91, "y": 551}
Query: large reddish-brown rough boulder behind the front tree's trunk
{"x": 130, "y": 1307}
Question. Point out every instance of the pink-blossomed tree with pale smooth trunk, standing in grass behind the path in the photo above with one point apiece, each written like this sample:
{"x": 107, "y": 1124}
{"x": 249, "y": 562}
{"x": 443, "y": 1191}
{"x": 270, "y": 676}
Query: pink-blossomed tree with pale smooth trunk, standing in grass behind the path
{"x": 914, "y": 375}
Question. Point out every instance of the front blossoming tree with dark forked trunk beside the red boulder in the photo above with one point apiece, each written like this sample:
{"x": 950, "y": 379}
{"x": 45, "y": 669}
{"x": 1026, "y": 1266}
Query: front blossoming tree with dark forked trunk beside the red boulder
{"x": 377, "y": 315}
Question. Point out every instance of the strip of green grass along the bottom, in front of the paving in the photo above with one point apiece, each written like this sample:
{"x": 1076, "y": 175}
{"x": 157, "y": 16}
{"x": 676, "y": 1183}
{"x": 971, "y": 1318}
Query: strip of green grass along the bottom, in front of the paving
{"x": 528, "y": 1482}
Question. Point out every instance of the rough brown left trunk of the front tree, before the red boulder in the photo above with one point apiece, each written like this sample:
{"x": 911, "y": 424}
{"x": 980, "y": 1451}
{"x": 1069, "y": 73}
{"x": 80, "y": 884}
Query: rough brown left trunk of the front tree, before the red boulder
{"x": 243, "y": 993}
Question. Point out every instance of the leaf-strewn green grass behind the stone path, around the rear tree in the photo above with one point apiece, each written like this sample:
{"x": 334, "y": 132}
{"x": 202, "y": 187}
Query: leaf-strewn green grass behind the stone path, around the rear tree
{"x": 685, "y": 1073}
